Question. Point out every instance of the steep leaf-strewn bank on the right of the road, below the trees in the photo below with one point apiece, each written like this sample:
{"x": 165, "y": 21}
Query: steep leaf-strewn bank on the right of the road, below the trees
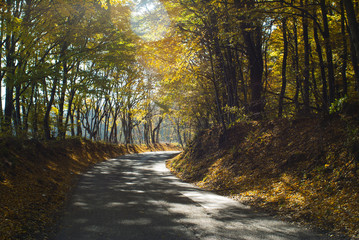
{"x": 303, "y": 170}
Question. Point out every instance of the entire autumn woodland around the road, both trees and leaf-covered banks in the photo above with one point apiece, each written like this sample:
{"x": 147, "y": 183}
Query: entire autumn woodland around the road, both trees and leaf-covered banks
{"x": 267, "y": 90}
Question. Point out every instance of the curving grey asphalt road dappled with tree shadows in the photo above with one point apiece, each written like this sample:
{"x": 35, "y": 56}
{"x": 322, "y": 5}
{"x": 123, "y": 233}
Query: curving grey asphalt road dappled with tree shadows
{"x": 136, "y": 197}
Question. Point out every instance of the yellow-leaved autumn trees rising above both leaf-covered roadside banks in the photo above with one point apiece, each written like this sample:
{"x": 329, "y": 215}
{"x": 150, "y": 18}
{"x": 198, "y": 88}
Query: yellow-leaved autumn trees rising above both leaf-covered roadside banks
{"x": 148, "y": 71}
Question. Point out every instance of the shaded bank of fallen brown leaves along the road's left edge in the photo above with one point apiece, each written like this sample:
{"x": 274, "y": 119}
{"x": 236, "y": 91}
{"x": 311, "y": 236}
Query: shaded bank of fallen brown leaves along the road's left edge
{"x": 36, "y": 178}
